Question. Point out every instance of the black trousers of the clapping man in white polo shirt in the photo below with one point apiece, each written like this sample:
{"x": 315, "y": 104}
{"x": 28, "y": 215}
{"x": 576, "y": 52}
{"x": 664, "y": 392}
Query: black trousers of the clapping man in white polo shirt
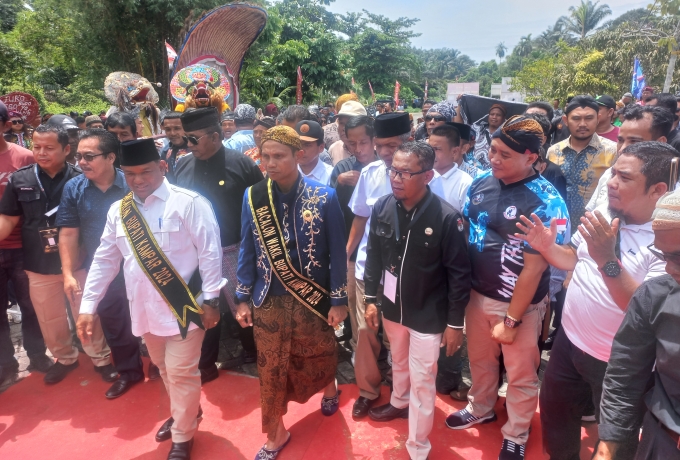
{"x": 571, "y": 379}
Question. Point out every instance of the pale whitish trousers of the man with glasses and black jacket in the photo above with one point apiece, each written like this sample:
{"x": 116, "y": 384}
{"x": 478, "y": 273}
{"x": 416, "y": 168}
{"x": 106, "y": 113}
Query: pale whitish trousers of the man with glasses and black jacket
{"x": 414, "y": 368}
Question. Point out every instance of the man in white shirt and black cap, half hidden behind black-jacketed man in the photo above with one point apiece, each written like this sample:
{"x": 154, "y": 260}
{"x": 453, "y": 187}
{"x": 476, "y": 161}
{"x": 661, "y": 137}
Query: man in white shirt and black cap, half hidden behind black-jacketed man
{"x": 391, "y": 130}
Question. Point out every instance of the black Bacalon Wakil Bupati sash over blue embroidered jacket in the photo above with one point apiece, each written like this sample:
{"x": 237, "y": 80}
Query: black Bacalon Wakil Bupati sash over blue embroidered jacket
{"x": 310, "y": 294}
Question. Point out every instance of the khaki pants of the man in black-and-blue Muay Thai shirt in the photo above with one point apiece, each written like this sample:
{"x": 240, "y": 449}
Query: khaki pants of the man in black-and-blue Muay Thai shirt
{"x": 522, "y": 359}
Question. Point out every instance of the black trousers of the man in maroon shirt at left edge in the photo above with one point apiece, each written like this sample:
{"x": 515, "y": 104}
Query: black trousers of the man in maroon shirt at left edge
{"x": 12, "y": 269}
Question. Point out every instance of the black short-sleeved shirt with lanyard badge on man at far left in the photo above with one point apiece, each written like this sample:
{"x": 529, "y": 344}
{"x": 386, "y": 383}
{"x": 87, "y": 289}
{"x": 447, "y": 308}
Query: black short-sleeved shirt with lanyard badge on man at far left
{"x": 23, "y": 197}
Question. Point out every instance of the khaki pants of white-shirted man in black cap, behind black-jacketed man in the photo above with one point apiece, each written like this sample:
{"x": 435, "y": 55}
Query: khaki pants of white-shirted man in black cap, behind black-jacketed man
{"x": 367, "y": 351}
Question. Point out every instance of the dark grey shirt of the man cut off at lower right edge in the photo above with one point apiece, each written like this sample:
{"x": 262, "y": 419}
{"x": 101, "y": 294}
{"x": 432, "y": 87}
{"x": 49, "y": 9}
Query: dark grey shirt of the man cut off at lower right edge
{"x": 649, "y": 335}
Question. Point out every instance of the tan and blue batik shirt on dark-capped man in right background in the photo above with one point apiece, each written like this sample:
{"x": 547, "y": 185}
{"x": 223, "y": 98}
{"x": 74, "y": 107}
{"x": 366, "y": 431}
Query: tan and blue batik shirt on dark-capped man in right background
{"x": 582, "y": 170}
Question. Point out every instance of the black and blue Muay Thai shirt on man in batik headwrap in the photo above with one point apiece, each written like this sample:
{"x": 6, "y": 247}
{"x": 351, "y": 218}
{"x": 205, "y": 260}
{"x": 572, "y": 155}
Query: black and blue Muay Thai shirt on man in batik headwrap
{"x": 493, "y": 208}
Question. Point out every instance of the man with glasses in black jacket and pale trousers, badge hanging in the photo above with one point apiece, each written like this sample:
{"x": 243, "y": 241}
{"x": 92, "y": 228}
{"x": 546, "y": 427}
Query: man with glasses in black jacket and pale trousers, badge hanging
{"x": 416, "y": 245}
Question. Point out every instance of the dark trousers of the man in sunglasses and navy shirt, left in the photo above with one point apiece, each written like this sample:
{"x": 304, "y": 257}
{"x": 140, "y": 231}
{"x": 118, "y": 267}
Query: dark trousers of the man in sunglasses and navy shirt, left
{"x": 114, "y": 313}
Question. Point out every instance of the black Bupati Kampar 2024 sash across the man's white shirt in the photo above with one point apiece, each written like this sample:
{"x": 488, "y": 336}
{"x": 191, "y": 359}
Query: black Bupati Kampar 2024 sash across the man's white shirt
{"x": 158, "y": 268}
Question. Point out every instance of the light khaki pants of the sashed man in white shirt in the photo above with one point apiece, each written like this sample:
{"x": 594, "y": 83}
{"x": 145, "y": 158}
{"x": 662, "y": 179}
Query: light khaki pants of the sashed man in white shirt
{"x": 177, "y": 359}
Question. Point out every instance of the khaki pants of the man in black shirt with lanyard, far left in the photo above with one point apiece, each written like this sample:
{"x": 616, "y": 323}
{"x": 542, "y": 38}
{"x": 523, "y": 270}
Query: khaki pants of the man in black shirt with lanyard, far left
{"x": 47, "y": 295}
